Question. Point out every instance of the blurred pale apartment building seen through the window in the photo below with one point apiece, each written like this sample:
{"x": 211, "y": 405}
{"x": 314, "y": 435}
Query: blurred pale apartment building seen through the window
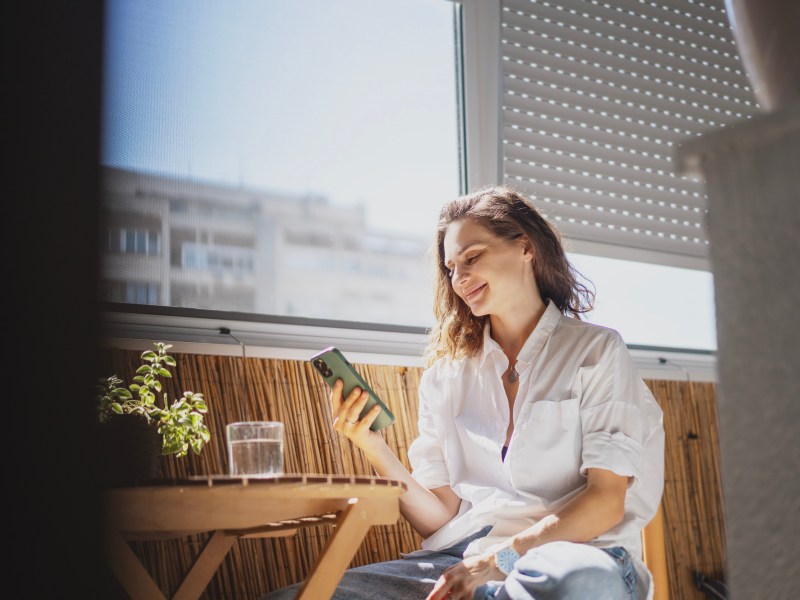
{"x": 182, "y": 243}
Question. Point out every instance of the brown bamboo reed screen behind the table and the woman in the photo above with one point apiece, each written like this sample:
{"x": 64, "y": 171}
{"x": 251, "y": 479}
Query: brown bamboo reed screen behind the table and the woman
{"x": 290, "y": 391}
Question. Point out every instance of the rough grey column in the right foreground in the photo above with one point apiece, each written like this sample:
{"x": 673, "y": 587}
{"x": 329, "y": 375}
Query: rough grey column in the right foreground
{"x": 752, "y": 176}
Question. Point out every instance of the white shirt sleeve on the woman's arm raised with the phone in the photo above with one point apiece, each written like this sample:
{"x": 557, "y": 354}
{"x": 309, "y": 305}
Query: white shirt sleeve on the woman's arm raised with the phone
{"x": 425, "y": 454}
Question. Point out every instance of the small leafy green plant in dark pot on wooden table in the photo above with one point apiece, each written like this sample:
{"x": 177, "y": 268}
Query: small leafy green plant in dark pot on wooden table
{"x": 136, "y": 428}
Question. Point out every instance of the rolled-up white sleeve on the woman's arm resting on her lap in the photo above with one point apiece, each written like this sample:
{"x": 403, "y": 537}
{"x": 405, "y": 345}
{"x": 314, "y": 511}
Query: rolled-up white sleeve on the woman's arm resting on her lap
{"x": 614, "y": 421}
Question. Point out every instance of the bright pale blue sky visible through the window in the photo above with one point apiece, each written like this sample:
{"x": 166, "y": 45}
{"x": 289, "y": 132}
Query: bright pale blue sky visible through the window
{"x": 353, "y": 100}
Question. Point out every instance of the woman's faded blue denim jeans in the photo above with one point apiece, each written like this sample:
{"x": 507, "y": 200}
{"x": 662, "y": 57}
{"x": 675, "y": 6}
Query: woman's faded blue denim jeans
{"x": 555, "y": 571}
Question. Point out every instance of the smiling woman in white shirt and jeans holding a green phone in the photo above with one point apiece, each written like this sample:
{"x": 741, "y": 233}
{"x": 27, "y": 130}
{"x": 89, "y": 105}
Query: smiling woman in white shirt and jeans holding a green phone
{"x": 540, "y": 451}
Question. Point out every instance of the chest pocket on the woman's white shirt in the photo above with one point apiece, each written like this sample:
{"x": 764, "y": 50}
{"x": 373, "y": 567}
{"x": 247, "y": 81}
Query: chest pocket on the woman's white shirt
{"x": 547, "y": 448}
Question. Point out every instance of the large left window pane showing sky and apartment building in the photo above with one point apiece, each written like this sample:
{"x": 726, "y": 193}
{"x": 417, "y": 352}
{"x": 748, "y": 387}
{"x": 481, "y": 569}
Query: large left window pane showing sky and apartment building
{"x": 284, "y": 158}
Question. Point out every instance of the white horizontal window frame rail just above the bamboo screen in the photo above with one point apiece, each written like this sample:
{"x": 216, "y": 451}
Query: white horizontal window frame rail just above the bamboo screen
{"x": 262, "y": 336}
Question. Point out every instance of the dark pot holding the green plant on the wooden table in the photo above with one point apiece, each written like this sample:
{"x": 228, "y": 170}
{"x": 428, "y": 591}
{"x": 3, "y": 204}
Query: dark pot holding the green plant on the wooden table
{"x": 129, "y": 451}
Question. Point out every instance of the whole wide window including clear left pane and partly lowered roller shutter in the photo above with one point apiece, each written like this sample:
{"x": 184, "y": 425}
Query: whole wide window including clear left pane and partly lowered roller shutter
{"x": 289, "y": 159}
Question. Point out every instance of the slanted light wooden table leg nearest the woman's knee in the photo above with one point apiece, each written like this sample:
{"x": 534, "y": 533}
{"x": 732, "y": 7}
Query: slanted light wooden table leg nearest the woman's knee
{"x": 351, "y": 527}
